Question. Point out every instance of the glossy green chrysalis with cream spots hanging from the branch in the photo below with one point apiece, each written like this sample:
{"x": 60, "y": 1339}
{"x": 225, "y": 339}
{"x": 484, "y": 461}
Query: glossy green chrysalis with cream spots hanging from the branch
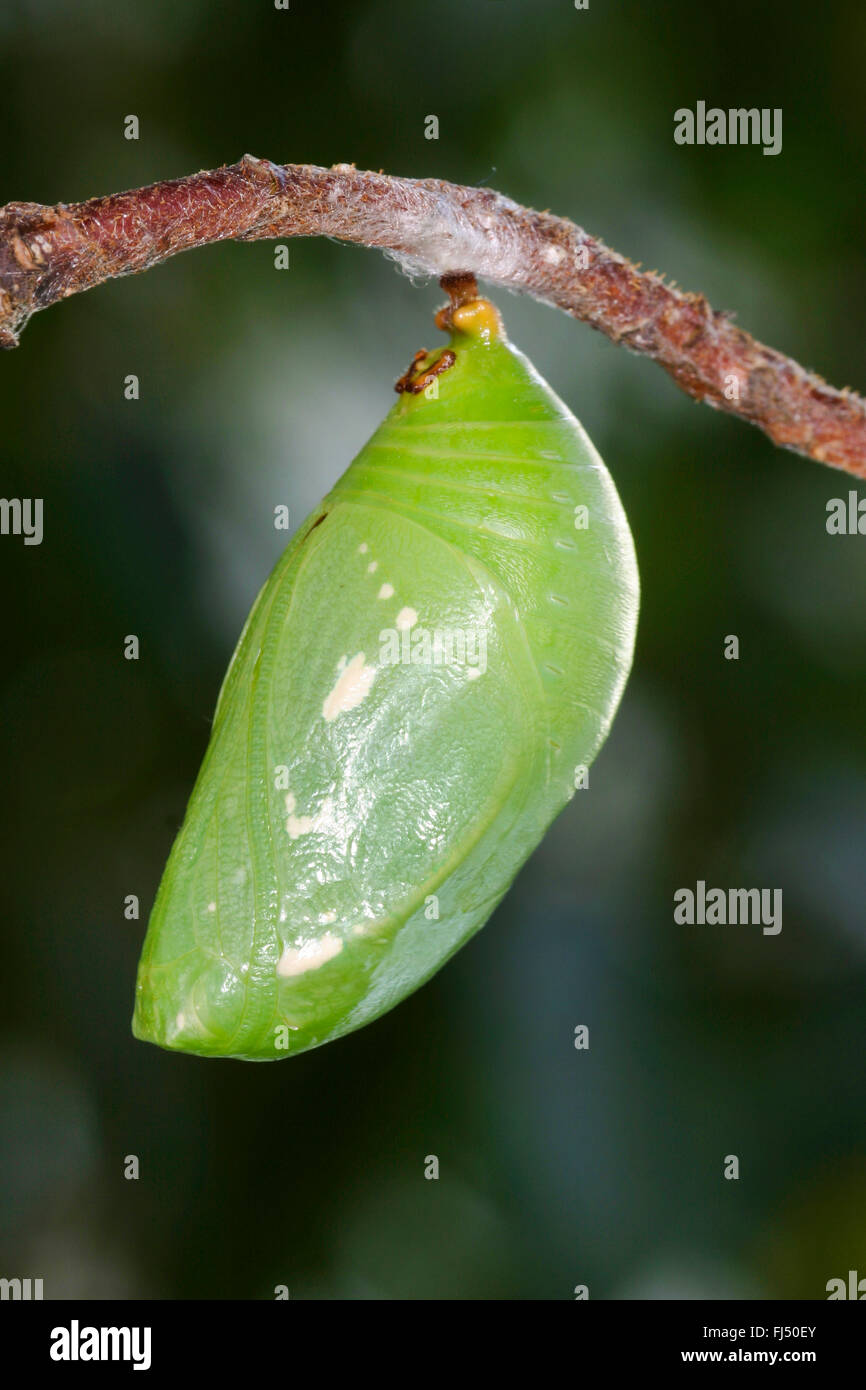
{"x": 436, "y": 657}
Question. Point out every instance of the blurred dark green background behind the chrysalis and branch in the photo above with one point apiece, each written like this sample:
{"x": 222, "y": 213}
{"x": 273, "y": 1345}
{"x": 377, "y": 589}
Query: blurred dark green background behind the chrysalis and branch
{"x": 258, "y": 387}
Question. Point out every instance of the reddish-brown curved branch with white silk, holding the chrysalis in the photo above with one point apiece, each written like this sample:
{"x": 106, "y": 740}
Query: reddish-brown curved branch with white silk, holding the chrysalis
{"x": 48, "y": 254}
